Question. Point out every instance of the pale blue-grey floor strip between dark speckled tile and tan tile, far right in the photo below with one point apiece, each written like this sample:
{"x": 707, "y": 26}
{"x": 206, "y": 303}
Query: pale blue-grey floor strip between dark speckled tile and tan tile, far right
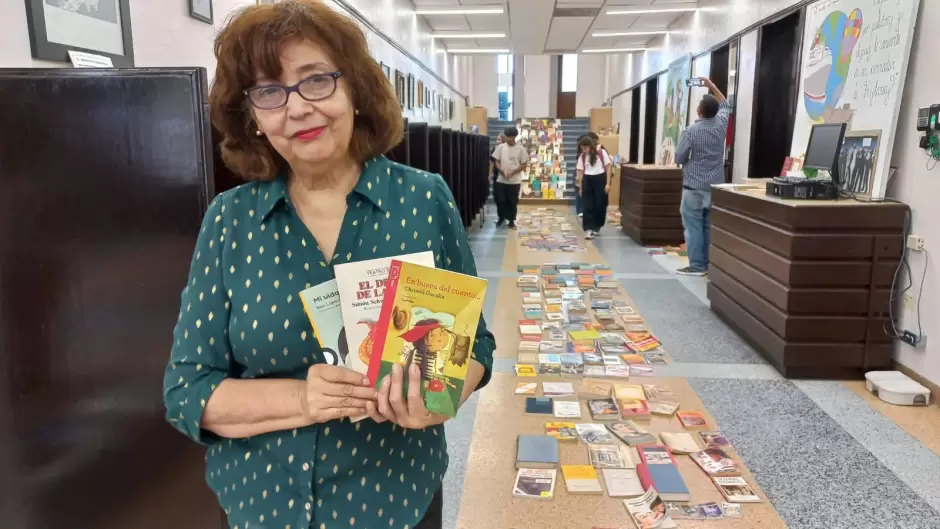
{"x": 915, "y": 464}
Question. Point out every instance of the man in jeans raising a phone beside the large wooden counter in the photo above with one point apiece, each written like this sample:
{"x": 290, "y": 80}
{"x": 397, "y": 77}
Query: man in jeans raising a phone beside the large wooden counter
{"x": 701, "y": 153}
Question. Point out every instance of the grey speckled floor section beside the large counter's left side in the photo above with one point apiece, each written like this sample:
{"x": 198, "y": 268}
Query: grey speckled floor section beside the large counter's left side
{"x": 688, "y": 329}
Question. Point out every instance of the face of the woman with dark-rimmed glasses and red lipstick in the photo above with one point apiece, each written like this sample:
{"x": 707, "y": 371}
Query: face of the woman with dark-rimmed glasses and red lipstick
{"x": 301, "y": 131}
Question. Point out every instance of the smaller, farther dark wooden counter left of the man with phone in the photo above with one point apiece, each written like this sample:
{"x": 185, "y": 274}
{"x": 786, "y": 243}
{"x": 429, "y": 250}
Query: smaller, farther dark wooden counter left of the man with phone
{"x": 649, "y": 201}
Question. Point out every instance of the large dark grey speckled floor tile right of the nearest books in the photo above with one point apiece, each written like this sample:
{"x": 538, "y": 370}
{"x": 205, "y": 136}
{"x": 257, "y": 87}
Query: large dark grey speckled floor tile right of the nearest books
{"x": 816, "y": 474}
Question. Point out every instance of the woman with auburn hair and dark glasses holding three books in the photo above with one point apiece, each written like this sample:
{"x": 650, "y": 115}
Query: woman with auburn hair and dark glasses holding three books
{"x": 306, "y": 115}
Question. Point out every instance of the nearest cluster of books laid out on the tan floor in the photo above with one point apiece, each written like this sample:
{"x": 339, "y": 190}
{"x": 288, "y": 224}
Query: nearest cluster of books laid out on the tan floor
{"x": 635, "y": 464}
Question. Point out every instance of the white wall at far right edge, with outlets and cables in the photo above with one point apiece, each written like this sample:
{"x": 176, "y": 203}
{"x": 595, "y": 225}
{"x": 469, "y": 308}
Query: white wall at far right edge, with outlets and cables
{"x": 919, "y": 187}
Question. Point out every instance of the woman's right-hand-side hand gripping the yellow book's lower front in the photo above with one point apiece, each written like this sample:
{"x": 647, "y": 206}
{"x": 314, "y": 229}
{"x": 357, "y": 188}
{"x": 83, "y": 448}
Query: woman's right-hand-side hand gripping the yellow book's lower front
{"x": 407, "y": 412}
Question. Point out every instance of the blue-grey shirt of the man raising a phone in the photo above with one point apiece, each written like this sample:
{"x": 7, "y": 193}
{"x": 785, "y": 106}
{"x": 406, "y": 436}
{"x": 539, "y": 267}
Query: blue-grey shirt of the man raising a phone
{"x": 701, "y": 150}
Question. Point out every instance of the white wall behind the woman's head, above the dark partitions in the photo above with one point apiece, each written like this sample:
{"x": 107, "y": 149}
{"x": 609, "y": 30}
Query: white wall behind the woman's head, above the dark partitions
{"x": 165, "y": 35}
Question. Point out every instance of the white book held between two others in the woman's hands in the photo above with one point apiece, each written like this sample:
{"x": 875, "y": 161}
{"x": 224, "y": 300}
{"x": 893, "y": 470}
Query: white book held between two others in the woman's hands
{"x": 361, "y": 286}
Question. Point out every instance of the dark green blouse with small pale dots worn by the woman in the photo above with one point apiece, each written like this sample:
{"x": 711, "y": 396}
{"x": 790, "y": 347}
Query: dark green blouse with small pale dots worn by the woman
{"x": 241, "y": 317}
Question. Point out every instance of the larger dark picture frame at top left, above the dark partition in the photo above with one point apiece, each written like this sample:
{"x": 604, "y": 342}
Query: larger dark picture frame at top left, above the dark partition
{"x": 55, "y": 27}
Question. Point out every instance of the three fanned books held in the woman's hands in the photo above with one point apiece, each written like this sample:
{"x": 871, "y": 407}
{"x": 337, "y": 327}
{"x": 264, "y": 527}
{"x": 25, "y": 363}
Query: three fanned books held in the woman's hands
{"x": 399, "y": 310}
